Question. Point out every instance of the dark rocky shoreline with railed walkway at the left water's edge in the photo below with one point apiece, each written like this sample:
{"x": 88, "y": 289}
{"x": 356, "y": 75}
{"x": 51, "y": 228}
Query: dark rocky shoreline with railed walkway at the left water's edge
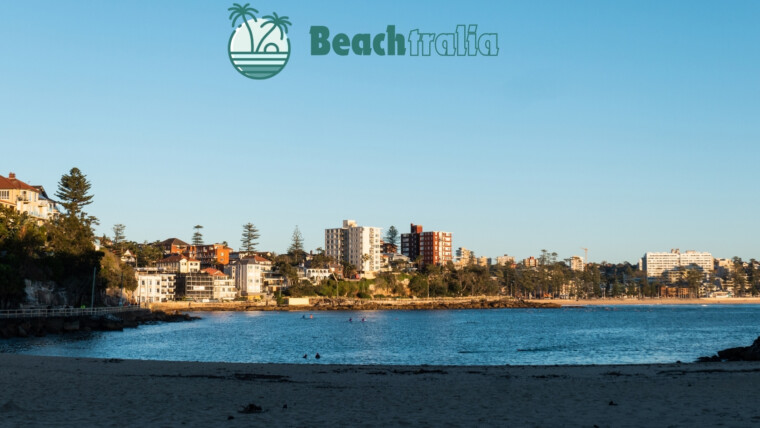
{"x": 42, "y": 326}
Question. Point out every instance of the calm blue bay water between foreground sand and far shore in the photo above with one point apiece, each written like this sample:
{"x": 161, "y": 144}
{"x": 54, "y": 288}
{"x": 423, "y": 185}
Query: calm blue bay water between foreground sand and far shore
{"x": 594, "y": 335}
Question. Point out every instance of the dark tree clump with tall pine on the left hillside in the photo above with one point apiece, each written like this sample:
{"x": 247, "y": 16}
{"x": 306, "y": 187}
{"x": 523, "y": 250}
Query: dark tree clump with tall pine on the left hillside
{"x": 60, "y": 249}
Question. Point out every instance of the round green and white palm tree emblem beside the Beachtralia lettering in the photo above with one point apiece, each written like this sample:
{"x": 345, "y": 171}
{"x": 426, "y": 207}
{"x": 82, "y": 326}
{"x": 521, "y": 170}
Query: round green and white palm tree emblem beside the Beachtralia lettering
{"x": 258, "y": 48}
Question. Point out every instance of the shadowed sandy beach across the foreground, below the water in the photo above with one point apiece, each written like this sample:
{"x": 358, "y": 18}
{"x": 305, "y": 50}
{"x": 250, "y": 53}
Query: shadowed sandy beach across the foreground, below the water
{"x": 50, "y": 391}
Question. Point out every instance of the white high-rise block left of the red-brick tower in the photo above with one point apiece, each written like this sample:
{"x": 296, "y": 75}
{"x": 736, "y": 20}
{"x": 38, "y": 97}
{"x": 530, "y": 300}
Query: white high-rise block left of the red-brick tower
{"x": 358, "y": 245}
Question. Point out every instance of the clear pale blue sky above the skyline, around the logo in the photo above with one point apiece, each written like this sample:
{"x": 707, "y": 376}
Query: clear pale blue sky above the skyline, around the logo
{"x": 621, "y": 126}
